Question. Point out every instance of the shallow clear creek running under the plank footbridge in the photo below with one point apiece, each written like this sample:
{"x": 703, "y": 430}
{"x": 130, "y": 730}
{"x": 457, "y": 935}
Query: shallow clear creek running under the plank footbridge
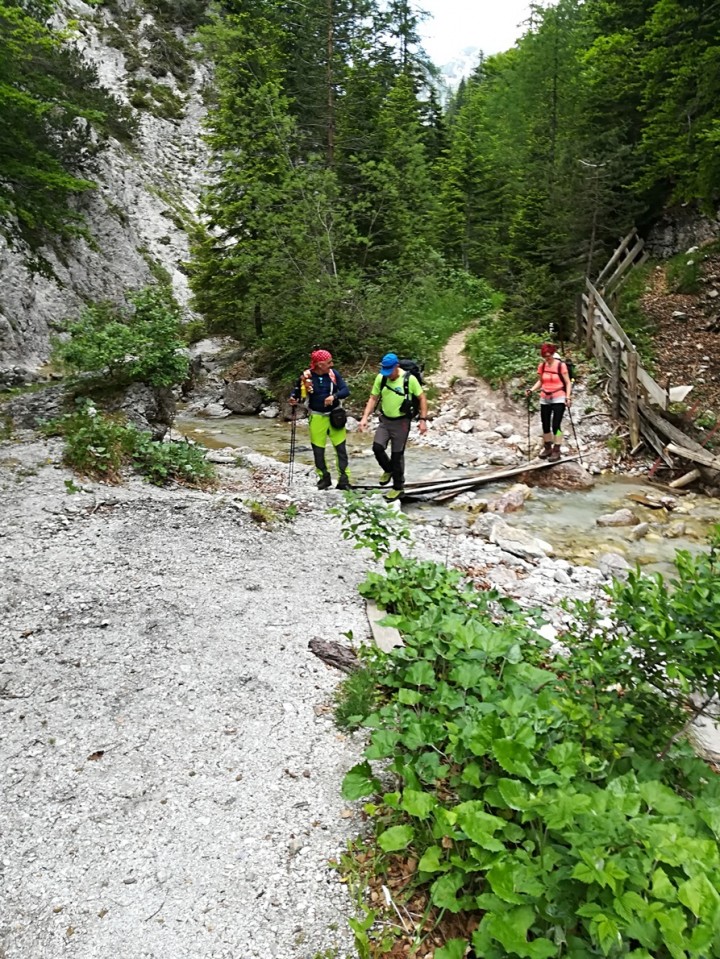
{"x": 567, "y": 520}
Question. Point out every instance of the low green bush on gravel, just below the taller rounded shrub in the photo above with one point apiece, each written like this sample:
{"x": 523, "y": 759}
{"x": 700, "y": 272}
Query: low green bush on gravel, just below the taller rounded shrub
{"x": 102, "y": 446}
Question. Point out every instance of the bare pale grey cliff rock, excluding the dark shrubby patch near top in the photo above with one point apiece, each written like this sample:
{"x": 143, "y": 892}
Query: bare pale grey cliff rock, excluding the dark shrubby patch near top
{"x": 146, "y": 198}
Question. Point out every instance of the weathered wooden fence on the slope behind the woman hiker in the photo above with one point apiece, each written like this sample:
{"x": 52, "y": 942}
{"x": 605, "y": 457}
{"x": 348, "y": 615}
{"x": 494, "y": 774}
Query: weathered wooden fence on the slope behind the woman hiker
{"x": 634, "y": 394}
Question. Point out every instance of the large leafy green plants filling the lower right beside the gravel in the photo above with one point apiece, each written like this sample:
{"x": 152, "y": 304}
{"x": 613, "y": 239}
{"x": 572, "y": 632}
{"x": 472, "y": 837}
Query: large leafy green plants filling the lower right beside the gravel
{"x": 543, "y": 804}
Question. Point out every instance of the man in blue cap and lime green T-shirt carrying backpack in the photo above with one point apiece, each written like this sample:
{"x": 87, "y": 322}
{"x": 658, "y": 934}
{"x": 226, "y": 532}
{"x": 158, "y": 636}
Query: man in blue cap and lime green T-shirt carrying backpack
{"x": 395, "y": 390}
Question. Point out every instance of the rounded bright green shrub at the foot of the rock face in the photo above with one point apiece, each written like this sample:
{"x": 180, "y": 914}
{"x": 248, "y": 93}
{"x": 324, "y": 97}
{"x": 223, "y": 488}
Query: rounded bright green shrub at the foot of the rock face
{"x": 137, "y": 342}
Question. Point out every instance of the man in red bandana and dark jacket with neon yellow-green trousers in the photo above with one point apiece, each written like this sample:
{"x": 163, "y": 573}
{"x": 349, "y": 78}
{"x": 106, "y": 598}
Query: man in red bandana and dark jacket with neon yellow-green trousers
{"x": 321, "y": 388}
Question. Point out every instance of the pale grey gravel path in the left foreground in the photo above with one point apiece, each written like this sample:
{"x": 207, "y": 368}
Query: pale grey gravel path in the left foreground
{"x": 170, "y": 775}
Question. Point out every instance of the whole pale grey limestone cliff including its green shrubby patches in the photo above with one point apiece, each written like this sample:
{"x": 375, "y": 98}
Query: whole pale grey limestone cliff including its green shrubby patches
{"x": 147, "y": 190}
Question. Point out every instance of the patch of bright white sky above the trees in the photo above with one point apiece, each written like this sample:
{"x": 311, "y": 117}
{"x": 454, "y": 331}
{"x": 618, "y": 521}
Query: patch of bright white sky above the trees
{"x": 490, "y": 25}
